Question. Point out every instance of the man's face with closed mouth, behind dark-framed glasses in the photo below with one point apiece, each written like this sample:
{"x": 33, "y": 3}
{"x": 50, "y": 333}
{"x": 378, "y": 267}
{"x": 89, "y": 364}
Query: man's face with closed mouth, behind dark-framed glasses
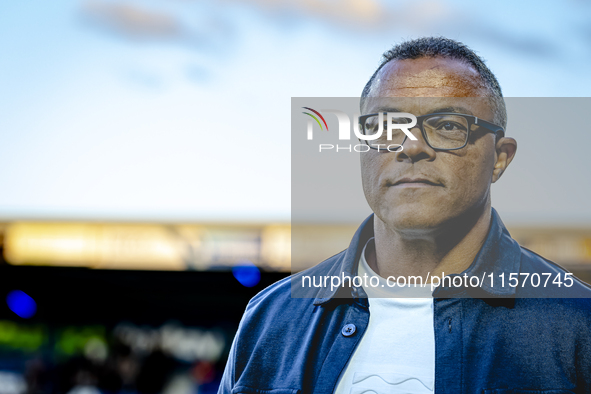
{"x": 421, "y": 188}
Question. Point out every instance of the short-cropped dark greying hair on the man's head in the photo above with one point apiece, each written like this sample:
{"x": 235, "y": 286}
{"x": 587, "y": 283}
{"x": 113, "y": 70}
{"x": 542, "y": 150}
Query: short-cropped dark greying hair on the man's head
{"x": 445, "y": 47}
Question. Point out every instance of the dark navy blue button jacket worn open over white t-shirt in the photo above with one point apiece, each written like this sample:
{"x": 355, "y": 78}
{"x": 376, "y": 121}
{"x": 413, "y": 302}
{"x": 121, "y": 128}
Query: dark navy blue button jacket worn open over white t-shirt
{"x": 488, "y": 339}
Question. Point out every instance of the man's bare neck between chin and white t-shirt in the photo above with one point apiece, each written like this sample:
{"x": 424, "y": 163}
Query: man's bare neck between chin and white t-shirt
{"x": 449, "y": 249}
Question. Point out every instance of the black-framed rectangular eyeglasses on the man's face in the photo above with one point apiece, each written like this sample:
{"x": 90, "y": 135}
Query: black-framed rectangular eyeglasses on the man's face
{"x": 441, "y": 131}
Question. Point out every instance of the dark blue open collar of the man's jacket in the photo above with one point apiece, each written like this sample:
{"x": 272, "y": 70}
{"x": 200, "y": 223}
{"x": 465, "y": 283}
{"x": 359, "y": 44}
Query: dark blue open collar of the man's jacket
{"x": 500, "y": 254}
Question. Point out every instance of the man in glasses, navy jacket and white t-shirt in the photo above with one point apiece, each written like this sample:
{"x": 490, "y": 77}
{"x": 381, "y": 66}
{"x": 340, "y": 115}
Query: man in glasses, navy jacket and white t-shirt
{"x": 432, "y": 216}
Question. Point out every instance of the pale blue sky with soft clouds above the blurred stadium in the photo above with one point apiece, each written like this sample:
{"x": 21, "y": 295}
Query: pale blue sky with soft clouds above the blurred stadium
{"x": 179, "y": 110}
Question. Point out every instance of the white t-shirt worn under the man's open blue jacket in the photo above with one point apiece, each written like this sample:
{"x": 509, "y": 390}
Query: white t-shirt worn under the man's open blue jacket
{"x": 397, "y": 351}
